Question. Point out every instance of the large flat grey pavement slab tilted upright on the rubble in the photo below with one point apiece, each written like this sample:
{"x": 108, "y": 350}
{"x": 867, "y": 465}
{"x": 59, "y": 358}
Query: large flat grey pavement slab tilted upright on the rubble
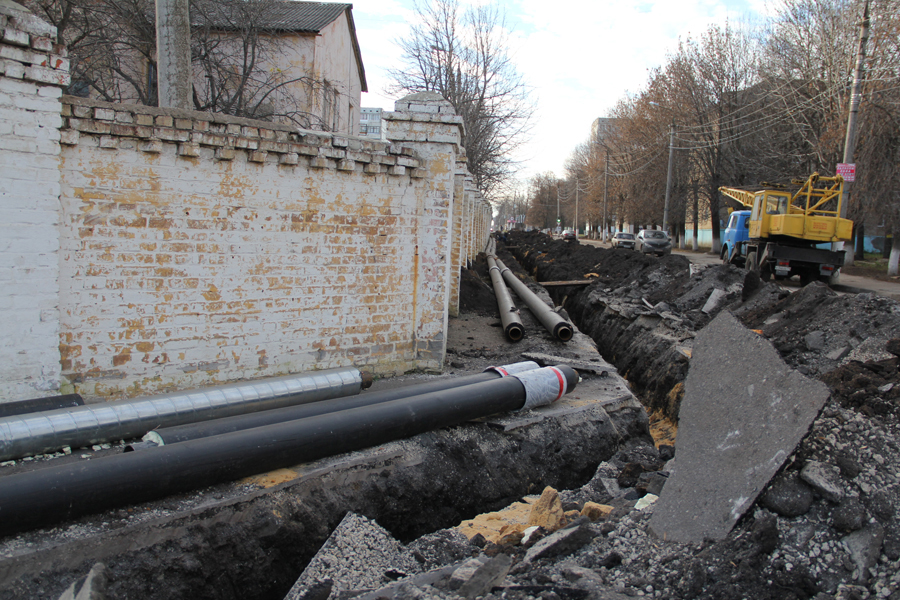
{"x": 744, "y": 412}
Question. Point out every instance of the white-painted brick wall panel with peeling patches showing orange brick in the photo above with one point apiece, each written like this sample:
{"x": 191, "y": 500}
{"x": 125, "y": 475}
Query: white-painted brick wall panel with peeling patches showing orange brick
{"x": 198, "y": 249}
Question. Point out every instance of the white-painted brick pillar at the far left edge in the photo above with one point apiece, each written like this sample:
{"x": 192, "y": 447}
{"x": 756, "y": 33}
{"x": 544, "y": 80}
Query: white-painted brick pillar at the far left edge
{"x": 32, "y": 69}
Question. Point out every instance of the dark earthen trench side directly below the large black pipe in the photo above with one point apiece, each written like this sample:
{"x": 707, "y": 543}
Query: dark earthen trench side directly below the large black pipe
{"x": 234, "y": 541}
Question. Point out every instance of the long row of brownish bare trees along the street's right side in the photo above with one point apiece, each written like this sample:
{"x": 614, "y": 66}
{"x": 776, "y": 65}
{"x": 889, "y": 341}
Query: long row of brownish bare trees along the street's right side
{"x": 749, "y": 104}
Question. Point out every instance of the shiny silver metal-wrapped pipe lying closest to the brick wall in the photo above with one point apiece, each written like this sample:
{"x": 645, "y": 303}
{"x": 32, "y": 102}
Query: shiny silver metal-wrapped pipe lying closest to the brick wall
{"x": 49, "y": 431}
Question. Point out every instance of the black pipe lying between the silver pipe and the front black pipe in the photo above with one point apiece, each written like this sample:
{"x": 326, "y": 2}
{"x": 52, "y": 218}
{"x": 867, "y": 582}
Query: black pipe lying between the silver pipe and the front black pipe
{"x": 192, "y": 431}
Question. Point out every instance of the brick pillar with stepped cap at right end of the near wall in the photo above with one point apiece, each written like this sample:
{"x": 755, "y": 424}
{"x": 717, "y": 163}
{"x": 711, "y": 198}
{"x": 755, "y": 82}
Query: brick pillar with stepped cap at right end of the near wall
{"x": 428, "y": 123}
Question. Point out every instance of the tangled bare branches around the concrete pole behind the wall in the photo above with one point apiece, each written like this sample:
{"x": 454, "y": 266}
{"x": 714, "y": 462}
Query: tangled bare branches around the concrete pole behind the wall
{"x": 112, "y": 48}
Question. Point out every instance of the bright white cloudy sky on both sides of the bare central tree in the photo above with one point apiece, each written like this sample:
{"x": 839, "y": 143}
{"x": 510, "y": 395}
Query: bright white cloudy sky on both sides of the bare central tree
{"x": 579, "y": 57}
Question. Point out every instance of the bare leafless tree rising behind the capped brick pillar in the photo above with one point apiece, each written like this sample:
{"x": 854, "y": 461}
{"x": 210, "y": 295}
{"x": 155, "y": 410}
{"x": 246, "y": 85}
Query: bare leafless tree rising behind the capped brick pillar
{"x": 464, "y": 56}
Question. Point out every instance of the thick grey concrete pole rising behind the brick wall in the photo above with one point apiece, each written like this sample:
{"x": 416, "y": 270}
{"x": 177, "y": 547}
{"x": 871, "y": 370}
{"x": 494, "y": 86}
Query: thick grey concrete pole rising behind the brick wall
{"x": 173, "y": 48}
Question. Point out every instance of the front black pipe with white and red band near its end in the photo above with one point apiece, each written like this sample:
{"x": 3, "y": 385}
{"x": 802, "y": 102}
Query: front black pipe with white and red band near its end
{"x": 49, "y": 495}
